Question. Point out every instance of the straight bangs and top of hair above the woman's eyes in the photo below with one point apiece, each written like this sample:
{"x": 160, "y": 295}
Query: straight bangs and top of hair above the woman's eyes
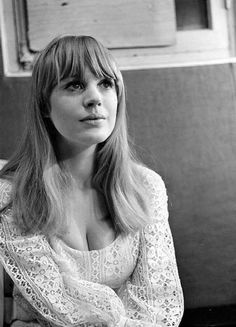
{"x": 74, "y": 54}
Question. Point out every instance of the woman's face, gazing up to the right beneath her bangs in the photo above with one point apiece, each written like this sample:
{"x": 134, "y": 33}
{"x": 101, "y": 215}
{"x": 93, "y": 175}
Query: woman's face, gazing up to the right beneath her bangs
{"x": 84, "y": 112}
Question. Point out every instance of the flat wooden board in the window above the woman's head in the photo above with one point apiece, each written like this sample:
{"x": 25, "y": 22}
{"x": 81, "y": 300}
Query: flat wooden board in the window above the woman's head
{"x": 116, "y": 23}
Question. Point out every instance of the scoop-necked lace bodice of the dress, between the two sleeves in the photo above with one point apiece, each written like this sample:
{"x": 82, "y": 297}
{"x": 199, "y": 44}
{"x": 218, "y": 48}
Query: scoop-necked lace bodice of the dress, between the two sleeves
{"x": 110, "y": 266}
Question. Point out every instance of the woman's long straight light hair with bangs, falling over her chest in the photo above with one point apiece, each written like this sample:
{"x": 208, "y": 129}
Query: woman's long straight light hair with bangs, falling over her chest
{"x": 40, "y": 182}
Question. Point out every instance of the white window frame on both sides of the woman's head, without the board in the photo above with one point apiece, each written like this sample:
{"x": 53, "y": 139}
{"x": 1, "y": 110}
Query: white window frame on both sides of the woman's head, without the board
{"x": 195, "y": 47}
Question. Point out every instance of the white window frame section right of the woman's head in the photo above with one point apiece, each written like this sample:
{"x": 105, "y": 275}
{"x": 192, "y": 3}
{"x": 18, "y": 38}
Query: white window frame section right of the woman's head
{"x": 193, "y": 47}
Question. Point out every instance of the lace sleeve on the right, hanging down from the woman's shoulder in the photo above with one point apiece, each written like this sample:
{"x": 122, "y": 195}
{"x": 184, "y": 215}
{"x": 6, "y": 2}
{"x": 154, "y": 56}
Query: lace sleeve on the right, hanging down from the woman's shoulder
{"x": 153, "y": 295}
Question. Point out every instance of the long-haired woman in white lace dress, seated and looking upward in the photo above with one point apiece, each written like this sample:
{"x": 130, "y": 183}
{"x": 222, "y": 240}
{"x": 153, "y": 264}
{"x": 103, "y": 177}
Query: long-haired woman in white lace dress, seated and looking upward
{"x": 84, "y": 228}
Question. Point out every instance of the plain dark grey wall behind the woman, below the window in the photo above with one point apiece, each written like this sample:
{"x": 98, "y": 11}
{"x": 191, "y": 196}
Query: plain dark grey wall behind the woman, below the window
{"x": 183, "y": 121}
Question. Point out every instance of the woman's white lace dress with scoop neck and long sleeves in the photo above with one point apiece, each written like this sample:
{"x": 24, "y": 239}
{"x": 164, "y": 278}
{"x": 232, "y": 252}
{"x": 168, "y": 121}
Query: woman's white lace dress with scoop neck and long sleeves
{"x": 132, "y": 282}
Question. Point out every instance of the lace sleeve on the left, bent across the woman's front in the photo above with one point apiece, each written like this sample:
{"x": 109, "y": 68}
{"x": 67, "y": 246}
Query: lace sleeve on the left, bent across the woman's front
{"x": 30, "y": 262}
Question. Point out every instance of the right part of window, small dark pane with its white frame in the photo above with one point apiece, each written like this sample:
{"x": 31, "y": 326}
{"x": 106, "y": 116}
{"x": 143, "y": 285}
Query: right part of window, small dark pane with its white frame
{"x": 204, "y": 34}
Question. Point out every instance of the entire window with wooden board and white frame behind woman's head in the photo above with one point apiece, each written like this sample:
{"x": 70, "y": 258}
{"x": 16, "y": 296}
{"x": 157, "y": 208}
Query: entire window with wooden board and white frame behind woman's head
{"x": 141, "y": 34}
